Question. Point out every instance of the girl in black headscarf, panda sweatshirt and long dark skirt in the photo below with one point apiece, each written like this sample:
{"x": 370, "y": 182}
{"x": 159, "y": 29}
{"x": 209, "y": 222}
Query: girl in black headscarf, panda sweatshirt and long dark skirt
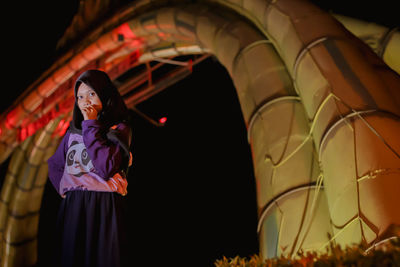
{"x": 88, "y": 170}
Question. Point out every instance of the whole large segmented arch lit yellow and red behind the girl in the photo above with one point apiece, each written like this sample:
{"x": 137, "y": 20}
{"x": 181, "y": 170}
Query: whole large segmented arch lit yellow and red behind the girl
{"x": 293, "y": 107}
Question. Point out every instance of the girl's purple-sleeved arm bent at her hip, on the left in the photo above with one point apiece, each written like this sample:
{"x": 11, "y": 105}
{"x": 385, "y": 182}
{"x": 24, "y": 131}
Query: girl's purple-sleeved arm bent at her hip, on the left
{"x": 56, "y": 163}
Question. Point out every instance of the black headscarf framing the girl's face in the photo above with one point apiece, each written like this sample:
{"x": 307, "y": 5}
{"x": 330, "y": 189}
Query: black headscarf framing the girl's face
{"x": 114, "y": 109}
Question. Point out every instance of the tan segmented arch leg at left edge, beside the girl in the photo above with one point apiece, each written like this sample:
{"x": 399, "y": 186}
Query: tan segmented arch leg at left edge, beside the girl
{"x": 21, "y": 197}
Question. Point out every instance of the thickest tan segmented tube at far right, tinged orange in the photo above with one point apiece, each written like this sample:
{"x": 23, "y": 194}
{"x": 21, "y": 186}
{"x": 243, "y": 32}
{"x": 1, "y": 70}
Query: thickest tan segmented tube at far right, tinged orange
{"x": 357, "y": 99}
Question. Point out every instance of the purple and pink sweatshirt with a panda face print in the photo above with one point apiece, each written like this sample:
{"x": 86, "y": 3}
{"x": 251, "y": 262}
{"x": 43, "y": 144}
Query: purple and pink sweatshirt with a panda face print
{"x": 90, "y": 160}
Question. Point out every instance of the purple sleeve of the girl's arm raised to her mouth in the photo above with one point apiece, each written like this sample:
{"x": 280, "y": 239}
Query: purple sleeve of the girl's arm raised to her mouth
{"x": 107, "y": 155}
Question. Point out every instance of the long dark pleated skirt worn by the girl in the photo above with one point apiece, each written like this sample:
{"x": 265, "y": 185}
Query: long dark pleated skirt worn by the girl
{"x": 91, "y": 230}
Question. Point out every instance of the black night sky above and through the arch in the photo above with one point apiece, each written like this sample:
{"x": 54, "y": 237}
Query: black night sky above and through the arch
{"x": 191, "y": 192}
